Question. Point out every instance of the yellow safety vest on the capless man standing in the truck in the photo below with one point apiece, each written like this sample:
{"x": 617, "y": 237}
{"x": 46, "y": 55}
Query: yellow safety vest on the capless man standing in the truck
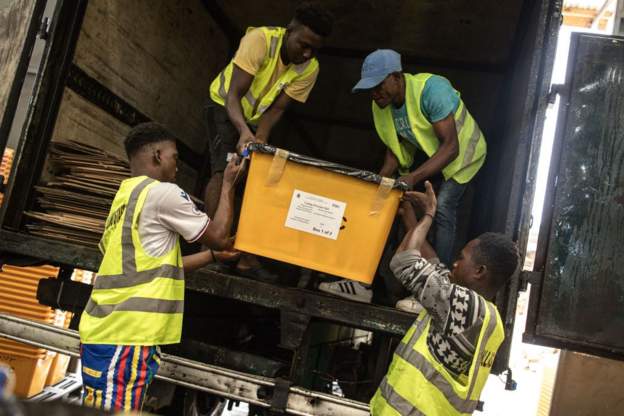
{"x": 261, "y": 95}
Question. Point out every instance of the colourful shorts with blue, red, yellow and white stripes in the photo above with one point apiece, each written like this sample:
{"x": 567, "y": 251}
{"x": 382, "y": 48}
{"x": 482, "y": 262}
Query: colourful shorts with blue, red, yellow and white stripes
{"x": 116, "y": 377}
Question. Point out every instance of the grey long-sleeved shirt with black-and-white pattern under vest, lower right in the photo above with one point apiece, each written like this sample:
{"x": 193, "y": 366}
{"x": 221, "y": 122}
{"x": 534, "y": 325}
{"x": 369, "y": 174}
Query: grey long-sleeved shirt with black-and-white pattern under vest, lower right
{"x": 456, "y": 312}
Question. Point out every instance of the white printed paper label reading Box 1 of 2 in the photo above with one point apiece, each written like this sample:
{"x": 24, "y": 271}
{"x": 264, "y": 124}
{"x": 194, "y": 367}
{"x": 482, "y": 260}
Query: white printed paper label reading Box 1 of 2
{"x": 315, "y": 214}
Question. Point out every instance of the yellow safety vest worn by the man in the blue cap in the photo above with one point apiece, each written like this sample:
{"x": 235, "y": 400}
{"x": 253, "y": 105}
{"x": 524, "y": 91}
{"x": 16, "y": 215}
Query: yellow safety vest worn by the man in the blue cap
{"x": 472, "y": 146}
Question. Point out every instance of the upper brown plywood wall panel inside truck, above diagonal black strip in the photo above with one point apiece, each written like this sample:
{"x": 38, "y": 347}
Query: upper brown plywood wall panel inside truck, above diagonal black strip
{"x": 158, "y": 55}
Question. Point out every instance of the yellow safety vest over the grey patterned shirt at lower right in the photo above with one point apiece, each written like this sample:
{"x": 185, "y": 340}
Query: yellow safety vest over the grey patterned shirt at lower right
{"x": 418, "y": 384}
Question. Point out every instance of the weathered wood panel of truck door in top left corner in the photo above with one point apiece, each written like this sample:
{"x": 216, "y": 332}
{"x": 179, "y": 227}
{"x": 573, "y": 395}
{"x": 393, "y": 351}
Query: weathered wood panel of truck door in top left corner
{"x": 15, "y": 16}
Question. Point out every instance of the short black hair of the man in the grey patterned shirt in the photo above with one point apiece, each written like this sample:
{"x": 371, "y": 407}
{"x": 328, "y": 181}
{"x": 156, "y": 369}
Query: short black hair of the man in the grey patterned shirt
{"x": 499, "y": 254}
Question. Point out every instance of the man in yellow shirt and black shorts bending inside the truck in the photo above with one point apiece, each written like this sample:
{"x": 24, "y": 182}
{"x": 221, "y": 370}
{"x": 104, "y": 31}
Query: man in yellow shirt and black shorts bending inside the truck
{"x": 272, "y": 67}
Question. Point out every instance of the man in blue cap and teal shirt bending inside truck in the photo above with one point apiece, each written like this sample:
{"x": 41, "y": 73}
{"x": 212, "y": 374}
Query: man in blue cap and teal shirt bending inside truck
{"x": 422, "y": 112}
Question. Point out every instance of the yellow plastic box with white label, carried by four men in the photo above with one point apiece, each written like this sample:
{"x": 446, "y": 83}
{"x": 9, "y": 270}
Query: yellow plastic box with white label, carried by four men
{"x": 290, "y": 213}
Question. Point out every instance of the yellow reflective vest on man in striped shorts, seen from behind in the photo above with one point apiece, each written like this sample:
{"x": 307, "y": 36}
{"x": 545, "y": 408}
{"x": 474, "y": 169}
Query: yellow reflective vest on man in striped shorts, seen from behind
{"x": 137, "y": 299}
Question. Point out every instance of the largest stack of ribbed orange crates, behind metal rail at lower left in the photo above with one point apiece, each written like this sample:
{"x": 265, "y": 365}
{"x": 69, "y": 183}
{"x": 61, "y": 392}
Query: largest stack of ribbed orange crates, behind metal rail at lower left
{"x": 18, "y": 289}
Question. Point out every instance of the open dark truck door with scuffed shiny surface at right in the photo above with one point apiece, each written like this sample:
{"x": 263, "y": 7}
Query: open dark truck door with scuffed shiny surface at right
{"x": 577, "y": 289}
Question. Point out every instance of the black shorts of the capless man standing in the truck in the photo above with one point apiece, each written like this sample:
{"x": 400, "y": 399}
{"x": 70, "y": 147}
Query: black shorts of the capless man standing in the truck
{"x": 222, "y": 137}
